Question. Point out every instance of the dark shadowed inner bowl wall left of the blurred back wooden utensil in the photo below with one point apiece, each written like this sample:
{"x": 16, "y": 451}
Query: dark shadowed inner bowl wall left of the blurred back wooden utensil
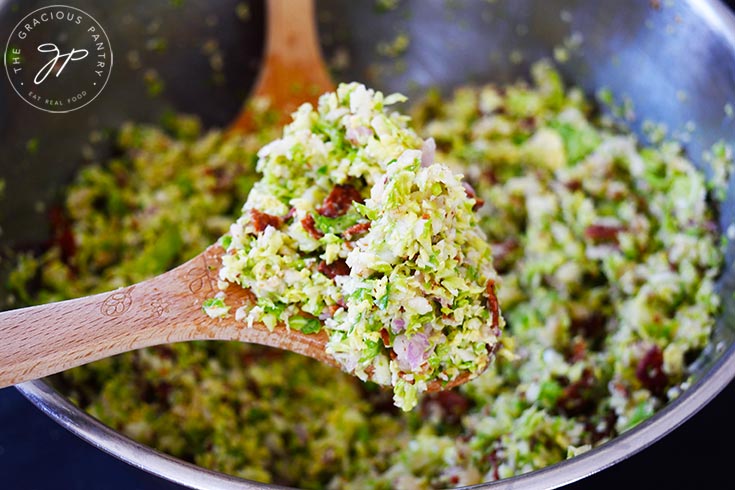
{"x": 165, "y": 61}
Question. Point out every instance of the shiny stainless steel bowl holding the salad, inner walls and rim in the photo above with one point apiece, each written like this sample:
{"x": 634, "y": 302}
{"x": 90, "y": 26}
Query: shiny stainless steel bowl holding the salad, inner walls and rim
{"x": 675, "y": 60}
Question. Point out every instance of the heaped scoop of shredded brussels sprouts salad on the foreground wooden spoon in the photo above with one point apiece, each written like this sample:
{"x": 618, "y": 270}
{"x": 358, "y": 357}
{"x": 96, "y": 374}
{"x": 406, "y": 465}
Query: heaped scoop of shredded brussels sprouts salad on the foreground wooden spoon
{"x": 354, "y": 229}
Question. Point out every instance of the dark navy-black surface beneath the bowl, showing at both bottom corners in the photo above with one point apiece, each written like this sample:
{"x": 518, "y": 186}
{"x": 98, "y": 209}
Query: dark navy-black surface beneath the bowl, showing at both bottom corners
{"x": 36, "y": 453}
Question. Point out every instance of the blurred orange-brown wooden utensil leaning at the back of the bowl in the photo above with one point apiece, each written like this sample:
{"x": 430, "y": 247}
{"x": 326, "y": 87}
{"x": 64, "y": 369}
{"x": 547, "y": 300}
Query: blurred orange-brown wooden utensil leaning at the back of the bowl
{"x": 294, "y": 71}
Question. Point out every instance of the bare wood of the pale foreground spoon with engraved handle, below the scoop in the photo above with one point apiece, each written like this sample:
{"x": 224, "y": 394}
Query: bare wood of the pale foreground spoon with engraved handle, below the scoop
{"x": 46, "y": 339}
